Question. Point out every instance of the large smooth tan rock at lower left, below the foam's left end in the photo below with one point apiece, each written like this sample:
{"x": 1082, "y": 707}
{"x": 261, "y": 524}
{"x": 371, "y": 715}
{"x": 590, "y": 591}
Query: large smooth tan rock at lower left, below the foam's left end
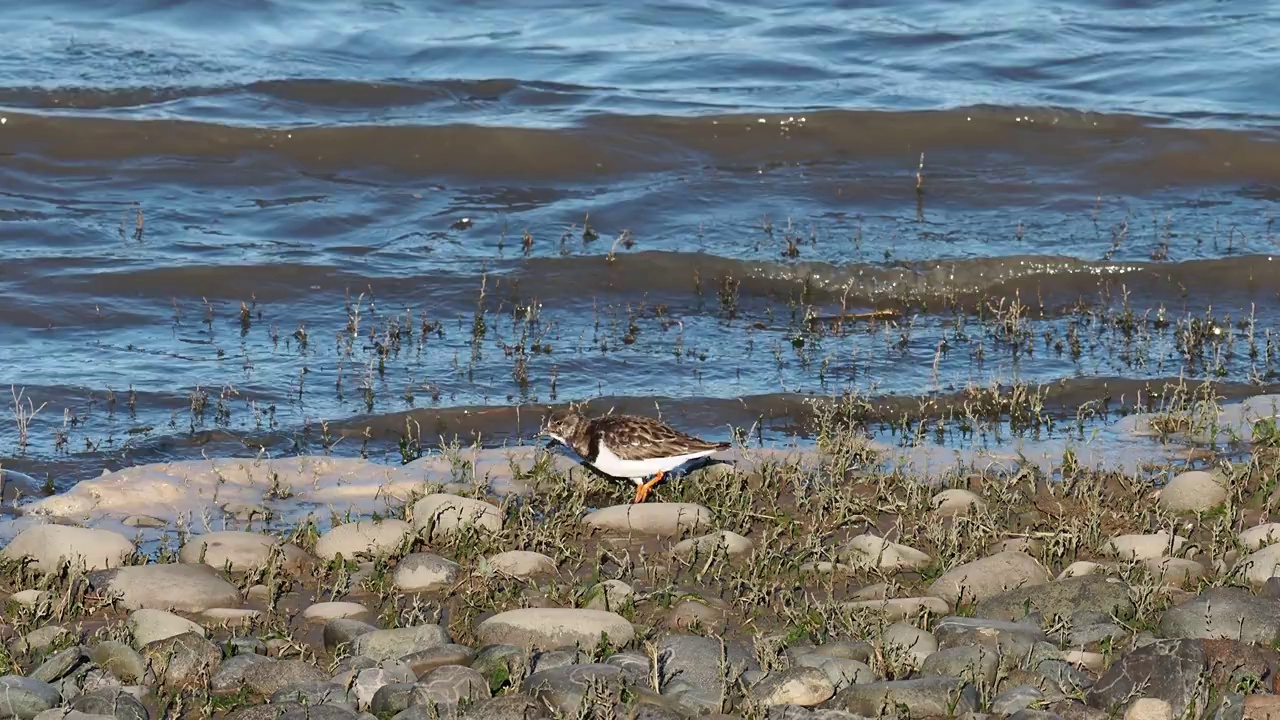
{"x": 190, "y": 589}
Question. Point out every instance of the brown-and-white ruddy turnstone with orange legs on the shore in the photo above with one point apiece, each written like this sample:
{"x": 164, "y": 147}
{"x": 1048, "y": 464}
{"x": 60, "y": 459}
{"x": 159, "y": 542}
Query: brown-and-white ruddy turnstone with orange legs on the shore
{"x": 628, "y": 446}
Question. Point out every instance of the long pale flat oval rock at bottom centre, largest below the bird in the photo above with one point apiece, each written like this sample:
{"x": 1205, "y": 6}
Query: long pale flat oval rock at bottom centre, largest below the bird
{"x": 548, "y": 628}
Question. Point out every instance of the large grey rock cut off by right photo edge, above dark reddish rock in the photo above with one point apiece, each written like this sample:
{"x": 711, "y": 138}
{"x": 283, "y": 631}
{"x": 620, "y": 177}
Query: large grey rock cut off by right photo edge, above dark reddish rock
{"x": 1224, "y": 613}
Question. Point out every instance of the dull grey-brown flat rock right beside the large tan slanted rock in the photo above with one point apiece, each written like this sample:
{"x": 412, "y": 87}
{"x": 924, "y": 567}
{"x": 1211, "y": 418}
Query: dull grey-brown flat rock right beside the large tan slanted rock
{"x": 1060, "y": 599}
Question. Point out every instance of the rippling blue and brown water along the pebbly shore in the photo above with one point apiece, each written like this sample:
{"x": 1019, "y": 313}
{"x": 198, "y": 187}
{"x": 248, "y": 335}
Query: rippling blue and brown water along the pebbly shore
{"x": 259, "y": 224}
